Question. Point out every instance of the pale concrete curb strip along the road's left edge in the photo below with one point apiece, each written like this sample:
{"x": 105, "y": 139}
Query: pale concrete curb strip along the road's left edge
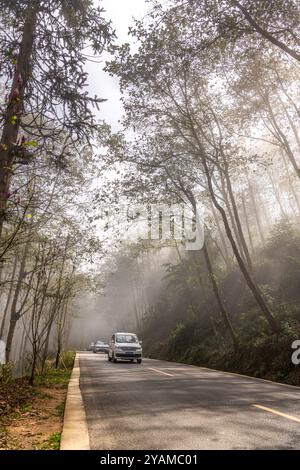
{"x": 75, "y": 434}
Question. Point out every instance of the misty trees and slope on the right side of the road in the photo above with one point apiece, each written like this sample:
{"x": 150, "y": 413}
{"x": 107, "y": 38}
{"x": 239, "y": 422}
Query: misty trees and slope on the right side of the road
{"x": 211, "y": 101}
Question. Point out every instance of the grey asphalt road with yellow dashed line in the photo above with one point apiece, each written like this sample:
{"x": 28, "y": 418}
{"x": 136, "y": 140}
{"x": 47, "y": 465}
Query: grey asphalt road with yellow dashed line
{"x": 165, "y": 405}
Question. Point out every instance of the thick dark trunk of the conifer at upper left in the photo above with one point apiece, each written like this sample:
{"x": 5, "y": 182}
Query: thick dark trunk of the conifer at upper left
{"x": 15, "y": 106}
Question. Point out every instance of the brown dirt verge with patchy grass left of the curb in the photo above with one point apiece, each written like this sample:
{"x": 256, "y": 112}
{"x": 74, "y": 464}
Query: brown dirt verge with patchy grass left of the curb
{"x": 31, "y": 417}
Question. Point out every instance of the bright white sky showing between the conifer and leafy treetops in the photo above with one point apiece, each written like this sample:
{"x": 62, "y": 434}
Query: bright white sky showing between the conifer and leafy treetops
{"x": 121, "y": 13}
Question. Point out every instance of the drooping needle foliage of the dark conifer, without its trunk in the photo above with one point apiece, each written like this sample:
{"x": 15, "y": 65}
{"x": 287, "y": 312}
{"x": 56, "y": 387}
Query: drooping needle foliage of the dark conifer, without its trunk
{"x": 59, "y": 40}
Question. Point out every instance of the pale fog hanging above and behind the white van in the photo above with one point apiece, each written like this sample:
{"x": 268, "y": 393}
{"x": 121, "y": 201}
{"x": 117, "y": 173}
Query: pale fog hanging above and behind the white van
{"x": 130, "y": 290}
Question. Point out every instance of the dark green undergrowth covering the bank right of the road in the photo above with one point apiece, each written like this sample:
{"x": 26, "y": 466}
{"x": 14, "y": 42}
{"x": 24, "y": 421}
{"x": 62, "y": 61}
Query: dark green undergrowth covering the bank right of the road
{"x": 193, "y": 340}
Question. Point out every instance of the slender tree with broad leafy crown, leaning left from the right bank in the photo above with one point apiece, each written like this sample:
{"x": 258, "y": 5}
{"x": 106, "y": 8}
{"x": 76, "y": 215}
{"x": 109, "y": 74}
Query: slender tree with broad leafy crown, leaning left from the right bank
{"x": 162, "y": 96}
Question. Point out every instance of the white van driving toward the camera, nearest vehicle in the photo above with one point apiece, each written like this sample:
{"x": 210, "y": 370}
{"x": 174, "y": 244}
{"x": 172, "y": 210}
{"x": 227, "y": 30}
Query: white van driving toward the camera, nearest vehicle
{"x": 125, "y": 346}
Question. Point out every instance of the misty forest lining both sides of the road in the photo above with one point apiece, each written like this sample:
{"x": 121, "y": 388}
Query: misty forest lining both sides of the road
{"x": 211, "y": 115}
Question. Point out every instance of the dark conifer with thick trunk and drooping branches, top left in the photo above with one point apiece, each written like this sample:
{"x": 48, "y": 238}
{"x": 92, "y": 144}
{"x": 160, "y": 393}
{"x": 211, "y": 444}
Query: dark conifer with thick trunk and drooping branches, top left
{"x": 42, "y": 57}
